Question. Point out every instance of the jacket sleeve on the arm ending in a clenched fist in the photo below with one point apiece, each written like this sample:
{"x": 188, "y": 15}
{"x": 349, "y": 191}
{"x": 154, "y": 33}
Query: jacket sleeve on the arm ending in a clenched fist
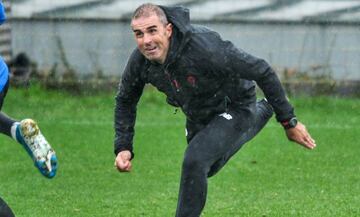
{"x": 129, "y": 92}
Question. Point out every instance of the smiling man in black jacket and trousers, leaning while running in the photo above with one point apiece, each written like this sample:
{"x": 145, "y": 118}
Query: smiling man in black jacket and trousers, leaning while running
{"x": 212, "y": 82}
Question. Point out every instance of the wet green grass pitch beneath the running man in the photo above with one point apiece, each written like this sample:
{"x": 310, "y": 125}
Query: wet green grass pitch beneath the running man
{"x": 268, "y": 177}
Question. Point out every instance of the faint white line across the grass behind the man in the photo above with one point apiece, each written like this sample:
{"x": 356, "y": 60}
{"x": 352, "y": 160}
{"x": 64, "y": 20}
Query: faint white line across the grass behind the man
{"x": 170, "y": 124}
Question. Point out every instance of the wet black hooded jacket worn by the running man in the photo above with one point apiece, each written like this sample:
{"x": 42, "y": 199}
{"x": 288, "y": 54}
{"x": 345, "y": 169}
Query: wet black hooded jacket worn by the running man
{"x": 203, "y": 75}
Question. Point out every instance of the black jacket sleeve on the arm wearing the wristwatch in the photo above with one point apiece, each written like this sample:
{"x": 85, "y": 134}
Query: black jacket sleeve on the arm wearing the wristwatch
{"x": 245, "y": 66}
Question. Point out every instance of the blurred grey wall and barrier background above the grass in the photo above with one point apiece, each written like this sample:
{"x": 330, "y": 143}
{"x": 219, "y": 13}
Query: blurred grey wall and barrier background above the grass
{"x": 314, "y": 45}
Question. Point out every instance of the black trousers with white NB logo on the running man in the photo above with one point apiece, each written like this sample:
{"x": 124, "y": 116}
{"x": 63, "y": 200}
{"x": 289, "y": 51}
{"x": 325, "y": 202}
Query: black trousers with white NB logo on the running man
{"x": 210, "y": 147}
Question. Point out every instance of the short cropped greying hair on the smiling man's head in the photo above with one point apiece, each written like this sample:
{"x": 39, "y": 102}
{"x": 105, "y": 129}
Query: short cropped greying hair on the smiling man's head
{"x": 148, "y": 9}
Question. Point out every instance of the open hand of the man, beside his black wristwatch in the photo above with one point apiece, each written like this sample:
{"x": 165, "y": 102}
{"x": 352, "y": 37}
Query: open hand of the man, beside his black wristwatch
{"x": 300, "y": 135}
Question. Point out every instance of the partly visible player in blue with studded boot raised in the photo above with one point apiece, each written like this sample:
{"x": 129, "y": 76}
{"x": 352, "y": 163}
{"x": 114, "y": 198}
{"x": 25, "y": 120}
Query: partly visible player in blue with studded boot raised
{"x": 25, "y": 132}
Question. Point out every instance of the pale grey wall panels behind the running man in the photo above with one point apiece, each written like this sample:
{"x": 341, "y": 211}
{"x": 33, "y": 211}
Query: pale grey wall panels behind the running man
{"x": 91, "y": 46}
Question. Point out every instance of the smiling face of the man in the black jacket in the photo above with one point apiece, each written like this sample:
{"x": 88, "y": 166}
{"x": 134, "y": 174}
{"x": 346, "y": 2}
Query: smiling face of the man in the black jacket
{"x": 152, "y": 37}
